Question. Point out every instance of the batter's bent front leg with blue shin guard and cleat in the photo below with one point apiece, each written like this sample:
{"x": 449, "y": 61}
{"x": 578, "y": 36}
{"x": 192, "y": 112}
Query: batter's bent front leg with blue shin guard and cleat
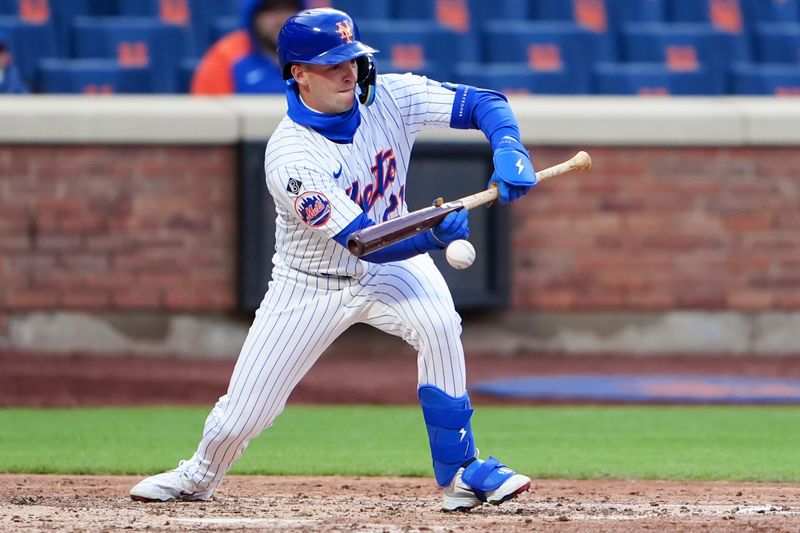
{"x": 411, "y": 299}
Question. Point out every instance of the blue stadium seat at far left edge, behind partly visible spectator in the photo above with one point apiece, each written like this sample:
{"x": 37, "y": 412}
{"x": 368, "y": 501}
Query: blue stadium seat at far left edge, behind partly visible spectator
{"x": 29, "y": 43}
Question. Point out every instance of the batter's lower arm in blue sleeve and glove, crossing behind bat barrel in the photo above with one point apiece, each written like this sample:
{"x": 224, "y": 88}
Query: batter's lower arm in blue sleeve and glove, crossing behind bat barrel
{"x": 454, "y": 226}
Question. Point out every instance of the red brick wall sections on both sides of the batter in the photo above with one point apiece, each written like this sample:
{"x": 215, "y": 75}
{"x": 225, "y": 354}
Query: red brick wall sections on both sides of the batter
{"x": 648, "y": 229}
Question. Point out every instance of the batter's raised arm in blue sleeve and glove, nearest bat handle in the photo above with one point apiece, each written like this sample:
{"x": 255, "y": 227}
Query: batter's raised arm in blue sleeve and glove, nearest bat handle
{"x": 488, "y": 111}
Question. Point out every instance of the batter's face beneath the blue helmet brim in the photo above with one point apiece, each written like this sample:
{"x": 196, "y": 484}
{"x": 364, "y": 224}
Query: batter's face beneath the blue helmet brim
{"x": 328, "y": 88}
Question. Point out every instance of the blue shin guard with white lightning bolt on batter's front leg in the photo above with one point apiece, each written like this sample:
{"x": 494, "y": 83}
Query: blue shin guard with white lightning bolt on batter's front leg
{"x": 449, "y": 431}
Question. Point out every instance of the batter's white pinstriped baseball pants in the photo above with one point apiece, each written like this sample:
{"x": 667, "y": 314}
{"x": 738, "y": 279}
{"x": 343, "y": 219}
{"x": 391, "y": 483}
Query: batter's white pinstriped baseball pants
{"x": 297, "y": 322}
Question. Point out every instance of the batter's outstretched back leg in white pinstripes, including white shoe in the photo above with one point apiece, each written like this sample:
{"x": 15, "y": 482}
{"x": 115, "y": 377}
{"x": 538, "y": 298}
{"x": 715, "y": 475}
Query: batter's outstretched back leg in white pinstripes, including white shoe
{"x": 293, "y": 326}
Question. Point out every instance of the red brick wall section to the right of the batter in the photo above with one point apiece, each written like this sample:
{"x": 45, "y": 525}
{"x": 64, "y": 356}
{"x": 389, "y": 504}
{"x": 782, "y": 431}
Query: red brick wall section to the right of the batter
{"x": 663, "y": 228}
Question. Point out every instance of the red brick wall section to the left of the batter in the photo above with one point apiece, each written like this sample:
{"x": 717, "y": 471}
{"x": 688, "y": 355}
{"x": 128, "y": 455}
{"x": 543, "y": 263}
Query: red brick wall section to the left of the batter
{"x": 99, "y": 227}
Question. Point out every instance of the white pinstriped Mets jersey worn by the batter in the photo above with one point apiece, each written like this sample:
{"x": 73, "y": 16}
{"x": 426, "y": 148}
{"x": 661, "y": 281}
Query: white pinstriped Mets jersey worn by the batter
{"x": 320, "y": 186}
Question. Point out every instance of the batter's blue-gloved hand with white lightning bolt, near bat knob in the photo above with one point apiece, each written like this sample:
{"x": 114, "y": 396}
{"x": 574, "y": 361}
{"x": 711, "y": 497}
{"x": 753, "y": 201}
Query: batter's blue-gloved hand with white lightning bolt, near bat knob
{"x": 513, "y": 170}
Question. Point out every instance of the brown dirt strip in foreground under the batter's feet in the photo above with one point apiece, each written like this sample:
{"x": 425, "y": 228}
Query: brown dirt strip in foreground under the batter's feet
{"x": 83, "y": 503}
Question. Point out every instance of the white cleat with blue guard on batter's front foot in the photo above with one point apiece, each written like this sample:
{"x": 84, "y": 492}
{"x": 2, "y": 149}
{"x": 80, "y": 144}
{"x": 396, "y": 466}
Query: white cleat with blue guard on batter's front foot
{"x": 461, "y": 496}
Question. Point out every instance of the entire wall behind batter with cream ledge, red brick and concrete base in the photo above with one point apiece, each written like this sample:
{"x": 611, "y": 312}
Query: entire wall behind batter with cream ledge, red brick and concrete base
{"x": 120, "y": 219}
